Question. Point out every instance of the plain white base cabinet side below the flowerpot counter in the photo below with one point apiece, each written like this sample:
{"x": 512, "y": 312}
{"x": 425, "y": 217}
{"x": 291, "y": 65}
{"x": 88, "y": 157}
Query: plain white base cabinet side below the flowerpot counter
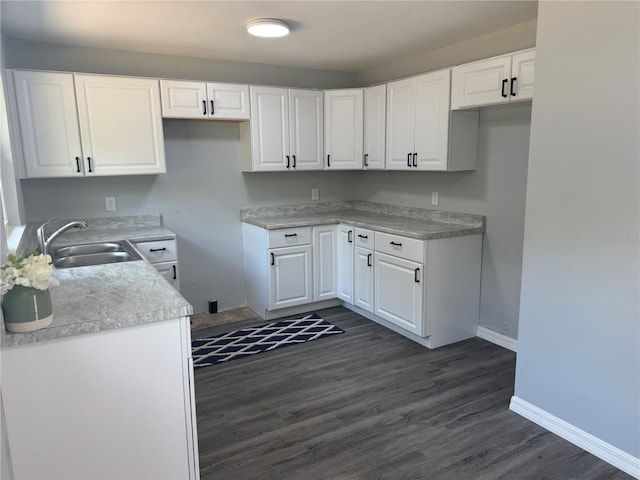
{"x": 121, "y": 399}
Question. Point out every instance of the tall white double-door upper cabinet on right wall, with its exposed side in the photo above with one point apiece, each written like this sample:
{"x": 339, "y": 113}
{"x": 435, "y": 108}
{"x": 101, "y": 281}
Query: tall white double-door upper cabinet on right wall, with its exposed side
{"x": 422, "y": 132}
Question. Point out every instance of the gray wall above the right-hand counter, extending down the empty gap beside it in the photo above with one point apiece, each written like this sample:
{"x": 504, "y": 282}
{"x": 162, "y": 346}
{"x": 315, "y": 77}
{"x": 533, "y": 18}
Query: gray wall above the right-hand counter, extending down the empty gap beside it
{"x": 496, "y": 189}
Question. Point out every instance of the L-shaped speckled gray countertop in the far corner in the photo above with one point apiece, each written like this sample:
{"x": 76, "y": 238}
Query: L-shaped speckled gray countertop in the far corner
{"x": 417, "y": 223}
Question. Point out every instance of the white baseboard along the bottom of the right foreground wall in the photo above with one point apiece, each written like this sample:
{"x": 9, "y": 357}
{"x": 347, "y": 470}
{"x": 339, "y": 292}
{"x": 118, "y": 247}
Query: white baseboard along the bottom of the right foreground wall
{"x": 601, "y": 449}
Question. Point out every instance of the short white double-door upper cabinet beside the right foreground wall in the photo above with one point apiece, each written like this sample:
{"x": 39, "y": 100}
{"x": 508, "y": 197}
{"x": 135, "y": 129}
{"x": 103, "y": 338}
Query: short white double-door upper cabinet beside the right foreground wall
{"x": 494, "y": 81}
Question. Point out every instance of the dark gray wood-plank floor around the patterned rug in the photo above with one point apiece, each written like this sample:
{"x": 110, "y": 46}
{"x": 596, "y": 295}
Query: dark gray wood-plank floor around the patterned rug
{"x": 369, "y": 404}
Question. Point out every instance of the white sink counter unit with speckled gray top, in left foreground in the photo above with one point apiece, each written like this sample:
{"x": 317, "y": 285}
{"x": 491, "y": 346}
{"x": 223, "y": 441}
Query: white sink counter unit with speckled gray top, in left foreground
{"x": 107, "y": 390}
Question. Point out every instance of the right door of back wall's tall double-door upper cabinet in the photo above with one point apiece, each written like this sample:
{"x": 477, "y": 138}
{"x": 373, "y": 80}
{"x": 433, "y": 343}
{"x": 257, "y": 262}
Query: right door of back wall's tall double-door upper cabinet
{"x": 306, "y": 123}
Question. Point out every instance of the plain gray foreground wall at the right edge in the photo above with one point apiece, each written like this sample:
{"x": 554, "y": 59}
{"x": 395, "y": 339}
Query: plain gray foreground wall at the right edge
{"x": 579, "y": 343}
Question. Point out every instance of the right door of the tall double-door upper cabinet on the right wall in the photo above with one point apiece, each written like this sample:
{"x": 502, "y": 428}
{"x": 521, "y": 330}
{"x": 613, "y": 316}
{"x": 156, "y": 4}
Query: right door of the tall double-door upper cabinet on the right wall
{"x": 432, "y": 120}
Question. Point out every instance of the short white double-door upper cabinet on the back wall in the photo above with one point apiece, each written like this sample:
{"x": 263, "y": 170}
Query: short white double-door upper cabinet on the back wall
{"x": 207, "y": 100}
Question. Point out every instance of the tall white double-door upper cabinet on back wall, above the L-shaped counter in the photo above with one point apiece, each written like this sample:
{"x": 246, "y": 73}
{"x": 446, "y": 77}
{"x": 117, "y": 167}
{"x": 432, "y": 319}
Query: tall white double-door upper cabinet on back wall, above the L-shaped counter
{"x": 285, "y": 132}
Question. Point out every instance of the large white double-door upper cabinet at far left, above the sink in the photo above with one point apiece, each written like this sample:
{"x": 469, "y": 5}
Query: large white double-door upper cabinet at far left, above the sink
{"x": 84, "y": 125}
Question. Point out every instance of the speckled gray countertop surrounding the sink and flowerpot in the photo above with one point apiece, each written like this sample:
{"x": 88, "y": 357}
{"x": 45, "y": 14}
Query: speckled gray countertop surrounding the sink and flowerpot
{"x": 104, "y": 297}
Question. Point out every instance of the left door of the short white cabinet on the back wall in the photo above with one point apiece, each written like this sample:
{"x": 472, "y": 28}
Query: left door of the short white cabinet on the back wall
{"x": 182, "y": 99}
